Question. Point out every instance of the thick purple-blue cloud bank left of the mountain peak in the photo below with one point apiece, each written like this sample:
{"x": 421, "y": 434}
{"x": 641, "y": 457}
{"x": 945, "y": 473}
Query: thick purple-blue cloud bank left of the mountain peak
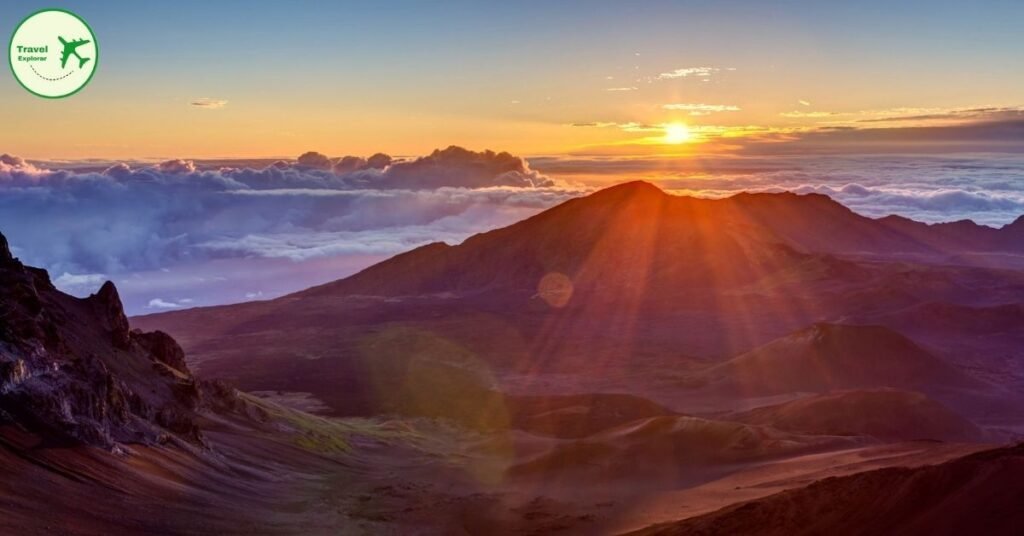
{"x": 126, "y": 220}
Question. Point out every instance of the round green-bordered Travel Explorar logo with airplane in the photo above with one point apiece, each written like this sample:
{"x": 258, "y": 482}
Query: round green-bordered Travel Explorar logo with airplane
{"x": 54, "y": 54}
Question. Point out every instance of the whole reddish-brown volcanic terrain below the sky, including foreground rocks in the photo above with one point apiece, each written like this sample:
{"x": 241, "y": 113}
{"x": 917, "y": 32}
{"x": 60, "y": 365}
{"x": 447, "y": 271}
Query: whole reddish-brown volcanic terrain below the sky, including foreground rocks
{"x": 568, "y": 374}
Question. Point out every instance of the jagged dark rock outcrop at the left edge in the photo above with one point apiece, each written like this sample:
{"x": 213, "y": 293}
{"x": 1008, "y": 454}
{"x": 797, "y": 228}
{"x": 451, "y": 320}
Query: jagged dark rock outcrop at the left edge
{"x": 72, "y": 370}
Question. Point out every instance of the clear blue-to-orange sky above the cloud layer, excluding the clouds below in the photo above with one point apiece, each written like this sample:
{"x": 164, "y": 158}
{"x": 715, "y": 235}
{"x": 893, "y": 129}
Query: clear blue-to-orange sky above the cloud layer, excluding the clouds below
{"x": 276, "y": 79}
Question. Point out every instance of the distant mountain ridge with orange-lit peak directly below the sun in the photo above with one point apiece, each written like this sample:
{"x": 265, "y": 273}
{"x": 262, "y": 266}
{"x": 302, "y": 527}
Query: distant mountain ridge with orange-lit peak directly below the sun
{"x": 609, "y": 236}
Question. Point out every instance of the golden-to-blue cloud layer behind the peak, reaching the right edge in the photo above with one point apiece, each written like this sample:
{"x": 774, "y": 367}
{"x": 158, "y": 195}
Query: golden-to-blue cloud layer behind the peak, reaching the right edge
{"x": 987, "y": 188}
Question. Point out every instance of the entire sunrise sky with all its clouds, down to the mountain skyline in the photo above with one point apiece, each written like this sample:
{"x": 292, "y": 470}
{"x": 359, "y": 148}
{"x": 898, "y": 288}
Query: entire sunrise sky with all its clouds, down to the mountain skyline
{"x": 226, "y": 152}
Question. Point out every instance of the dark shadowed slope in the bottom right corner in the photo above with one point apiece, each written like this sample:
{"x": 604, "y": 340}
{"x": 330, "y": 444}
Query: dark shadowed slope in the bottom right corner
{"x": 977, "y": 494}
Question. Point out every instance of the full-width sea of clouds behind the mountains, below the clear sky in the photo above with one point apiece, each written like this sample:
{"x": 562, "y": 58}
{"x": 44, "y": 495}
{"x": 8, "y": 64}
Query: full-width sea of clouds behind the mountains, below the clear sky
{"x": 181, "y": 234}
